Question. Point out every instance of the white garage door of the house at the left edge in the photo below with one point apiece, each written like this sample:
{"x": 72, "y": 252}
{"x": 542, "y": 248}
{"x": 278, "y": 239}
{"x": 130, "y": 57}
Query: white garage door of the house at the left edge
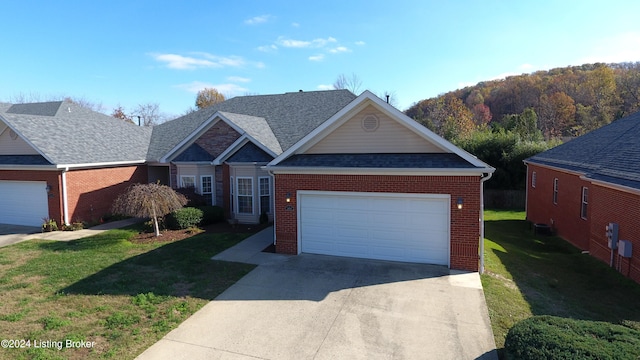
{"x": 23, "y": 202}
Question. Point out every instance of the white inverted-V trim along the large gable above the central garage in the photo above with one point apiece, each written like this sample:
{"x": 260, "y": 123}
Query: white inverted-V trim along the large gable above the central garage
{"x": 369, "y": 98}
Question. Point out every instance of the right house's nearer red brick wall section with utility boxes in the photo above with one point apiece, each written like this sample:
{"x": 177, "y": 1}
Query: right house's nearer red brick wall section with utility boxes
{"x": 623, "y": 208}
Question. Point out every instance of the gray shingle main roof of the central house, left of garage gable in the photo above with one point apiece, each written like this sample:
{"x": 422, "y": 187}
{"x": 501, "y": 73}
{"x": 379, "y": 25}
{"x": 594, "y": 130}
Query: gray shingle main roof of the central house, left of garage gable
{"x": 290, "y": 117}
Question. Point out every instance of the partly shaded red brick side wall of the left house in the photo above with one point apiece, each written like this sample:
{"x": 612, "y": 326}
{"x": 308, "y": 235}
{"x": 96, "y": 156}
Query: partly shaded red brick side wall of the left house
{"x": 90, "y": 192}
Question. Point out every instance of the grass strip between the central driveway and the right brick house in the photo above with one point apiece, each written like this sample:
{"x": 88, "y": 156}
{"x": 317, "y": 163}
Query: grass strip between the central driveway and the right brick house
{"x": 530, "y": 275}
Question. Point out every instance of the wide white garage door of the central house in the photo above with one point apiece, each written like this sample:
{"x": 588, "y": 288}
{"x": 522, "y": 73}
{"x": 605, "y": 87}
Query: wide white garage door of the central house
{"x": 385, "y": 226}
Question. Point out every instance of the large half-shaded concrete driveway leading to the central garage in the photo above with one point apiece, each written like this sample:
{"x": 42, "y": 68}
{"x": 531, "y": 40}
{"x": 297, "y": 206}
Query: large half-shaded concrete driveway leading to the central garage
{"x": 322, "y": 307}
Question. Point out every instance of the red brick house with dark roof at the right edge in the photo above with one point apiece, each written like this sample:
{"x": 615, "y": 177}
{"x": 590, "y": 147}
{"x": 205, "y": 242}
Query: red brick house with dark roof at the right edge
{"x": 579, "y": 187}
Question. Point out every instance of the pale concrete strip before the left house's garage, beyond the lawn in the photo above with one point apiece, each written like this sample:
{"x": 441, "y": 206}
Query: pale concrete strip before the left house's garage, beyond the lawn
{"x": 22, "y": 233}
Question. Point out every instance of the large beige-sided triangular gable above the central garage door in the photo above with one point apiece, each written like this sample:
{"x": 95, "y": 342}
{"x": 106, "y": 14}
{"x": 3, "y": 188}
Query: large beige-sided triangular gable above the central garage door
{"x": 365, "y": 103}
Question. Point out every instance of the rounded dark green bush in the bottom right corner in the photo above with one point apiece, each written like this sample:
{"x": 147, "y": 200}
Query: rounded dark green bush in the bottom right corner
{"x": 549, "y": 337}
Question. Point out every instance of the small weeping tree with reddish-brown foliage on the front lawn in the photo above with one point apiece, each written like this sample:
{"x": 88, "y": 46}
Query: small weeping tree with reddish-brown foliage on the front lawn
{"x": 148, "y": 200}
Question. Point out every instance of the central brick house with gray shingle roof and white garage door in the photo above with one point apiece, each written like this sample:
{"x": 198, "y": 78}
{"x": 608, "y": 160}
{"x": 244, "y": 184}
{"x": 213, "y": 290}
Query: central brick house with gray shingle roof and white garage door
{"x": 338, "y": 174}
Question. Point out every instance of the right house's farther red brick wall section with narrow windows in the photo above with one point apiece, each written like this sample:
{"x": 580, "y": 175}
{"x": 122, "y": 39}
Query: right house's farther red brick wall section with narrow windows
{"x": 565, "y": 215}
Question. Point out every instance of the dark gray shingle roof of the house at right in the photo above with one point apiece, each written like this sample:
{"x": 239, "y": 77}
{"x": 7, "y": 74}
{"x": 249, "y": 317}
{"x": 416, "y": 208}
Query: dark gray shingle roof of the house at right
{"x": 611, "y": 153}
